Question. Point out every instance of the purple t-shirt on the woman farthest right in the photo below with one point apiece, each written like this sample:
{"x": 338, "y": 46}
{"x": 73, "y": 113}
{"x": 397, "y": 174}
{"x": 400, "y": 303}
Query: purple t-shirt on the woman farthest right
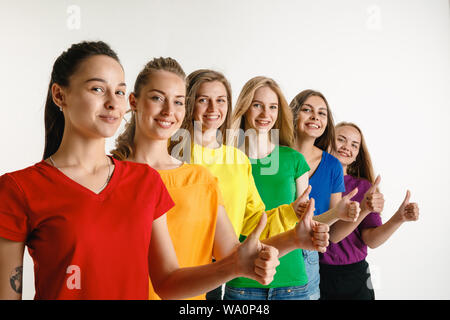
{"x": 352, "y": 249}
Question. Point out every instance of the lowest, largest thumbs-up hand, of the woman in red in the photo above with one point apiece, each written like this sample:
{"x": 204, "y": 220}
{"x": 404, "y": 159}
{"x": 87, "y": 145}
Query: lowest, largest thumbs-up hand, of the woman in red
{"x": 256, "y": 260}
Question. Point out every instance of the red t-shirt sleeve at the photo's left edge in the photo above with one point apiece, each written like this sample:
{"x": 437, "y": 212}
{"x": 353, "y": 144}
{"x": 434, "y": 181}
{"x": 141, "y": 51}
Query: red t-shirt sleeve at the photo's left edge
{"x": 13, "y": 210}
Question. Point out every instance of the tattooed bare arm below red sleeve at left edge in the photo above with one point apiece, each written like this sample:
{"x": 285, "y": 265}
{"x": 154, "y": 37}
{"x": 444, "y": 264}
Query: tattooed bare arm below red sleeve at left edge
{"x": 11, "y": 269}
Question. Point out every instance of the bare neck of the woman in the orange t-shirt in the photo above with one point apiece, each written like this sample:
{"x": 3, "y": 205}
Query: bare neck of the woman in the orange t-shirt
{"x": 152, "y": 152}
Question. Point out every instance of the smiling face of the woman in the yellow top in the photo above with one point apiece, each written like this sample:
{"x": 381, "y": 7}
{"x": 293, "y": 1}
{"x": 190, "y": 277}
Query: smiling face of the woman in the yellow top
{"x": 211, "y": 105}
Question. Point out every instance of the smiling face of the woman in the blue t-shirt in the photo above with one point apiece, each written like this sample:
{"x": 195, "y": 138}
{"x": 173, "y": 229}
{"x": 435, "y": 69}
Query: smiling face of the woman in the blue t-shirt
{"x": 312, "y": 119}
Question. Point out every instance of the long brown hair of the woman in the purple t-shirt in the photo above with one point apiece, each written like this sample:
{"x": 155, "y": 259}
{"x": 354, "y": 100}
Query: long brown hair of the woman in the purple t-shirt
{"x": 362, "y": 166}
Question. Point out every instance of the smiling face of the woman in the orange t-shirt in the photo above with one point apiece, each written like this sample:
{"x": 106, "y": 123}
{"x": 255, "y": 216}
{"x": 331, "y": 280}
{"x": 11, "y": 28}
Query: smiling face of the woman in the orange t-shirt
{"x": 160, "y": 107}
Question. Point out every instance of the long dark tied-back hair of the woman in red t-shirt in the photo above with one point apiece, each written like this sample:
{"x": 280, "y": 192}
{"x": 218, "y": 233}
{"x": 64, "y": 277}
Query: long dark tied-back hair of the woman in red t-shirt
{"x": 63, "y": 68}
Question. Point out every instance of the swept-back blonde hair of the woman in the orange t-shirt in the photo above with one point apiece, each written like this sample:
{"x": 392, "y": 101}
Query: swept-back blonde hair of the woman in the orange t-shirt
{"x": 124, "y": 147}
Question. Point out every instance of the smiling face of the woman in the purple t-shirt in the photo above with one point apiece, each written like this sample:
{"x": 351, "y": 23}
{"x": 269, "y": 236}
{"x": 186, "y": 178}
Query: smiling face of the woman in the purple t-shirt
{"x": 348, "y": 142}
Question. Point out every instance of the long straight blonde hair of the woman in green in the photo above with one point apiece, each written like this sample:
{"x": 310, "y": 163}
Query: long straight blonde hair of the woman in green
{"x": 284, "y": 121}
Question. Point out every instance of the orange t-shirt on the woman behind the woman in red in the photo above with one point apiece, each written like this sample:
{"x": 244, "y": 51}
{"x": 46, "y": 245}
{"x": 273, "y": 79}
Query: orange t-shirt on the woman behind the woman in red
{"x": 192, "y": 221}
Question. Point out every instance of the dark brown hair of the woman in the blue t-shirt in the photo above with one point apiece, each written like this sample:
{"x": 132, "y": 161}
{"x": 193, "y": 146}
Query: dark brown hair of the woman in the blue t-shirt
{"x": 326, "y": 141}
